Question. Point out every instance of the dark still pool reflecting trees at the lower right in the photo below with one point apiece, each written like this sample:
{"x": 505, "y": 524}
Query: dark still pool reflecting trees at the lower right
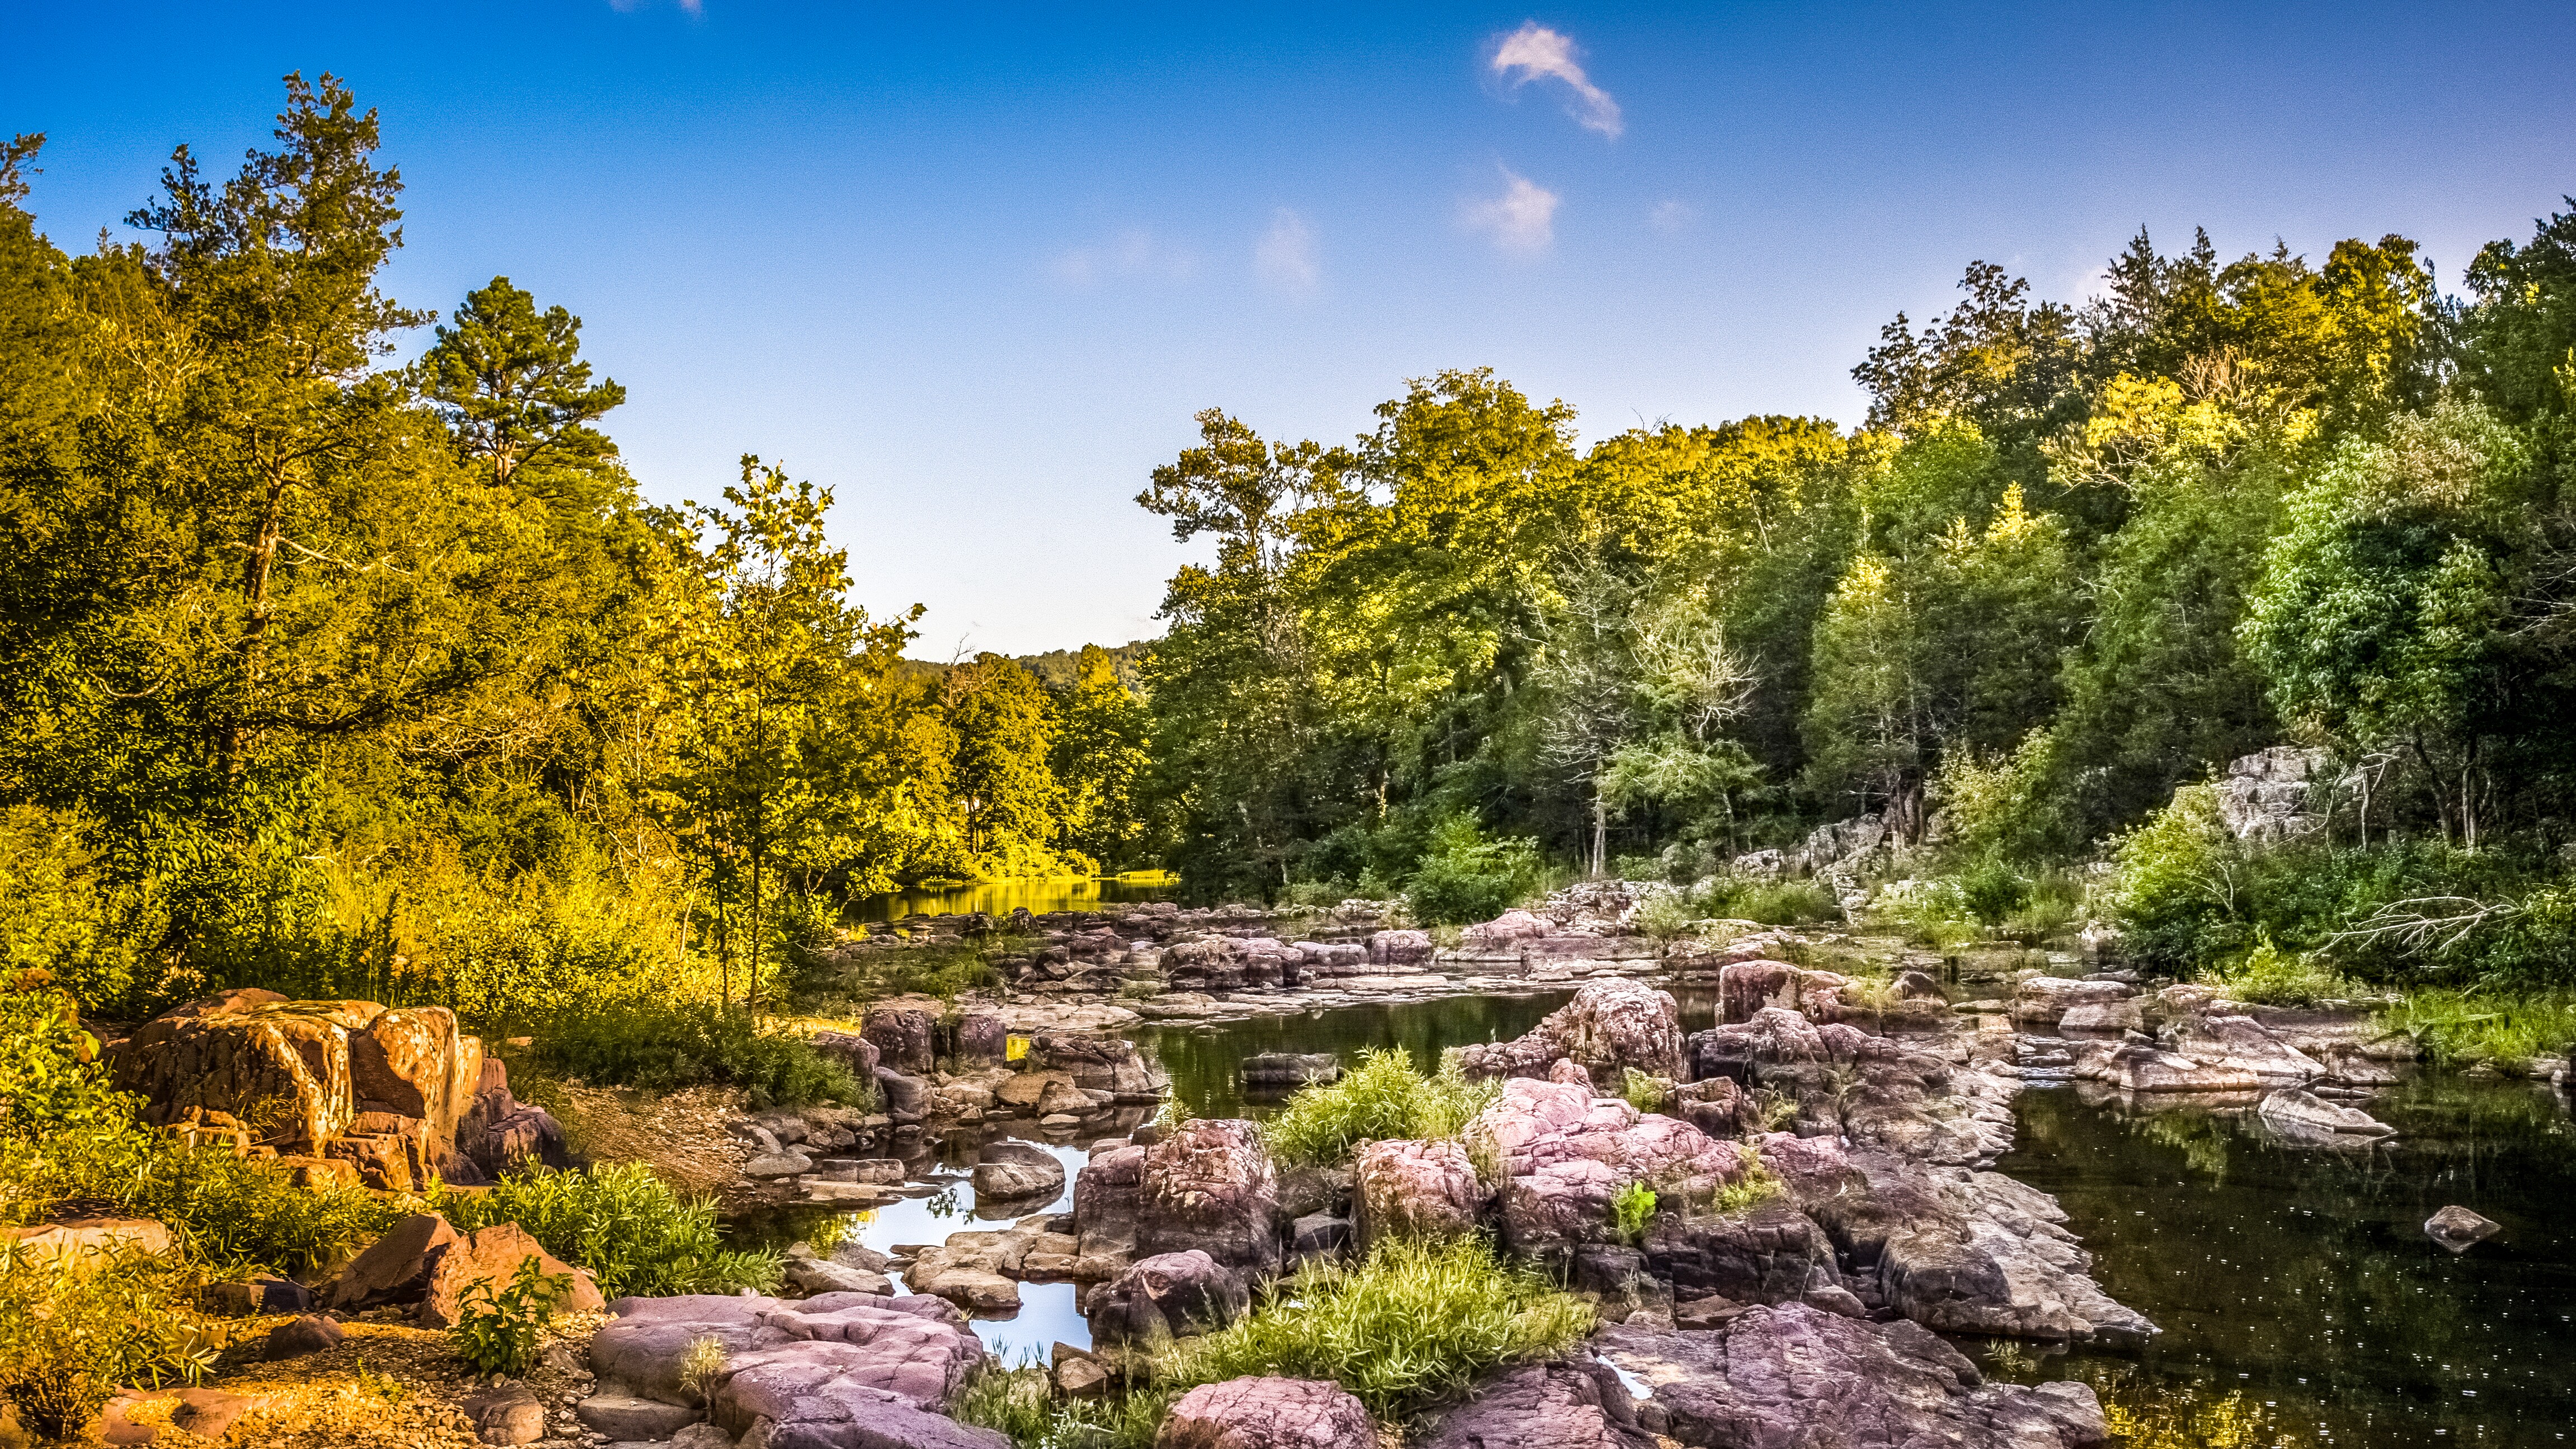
{"x": 2309, "y": 1270}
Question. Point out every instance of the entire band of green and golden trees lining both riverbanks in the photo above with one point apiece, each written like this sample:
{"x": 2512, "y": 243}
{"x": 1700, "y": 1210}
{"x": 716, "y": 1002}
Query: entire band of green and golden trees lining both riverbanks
{"x": 370, "y": 678}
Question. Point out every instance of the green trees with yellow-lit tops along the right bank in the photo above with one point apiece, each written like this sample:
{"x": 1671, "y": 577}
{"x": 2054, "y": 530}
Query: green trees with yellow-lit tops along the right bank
{"x": 2075, "y": 560}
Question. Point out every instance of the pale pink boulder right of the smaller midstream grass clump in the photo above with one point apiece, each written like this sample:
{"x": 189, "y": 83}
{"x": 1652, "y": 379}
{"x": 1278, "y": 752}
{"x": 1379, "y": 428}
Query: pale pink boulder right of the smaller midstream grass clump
{"x": 1565, "y": 1154}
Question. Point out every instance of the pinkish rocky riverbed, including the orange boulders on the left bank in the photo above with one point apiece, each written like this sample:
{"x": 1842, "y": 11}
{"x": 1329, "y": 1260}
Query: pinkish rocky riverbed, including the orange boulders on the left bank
{"x": 1825, "y": 1149}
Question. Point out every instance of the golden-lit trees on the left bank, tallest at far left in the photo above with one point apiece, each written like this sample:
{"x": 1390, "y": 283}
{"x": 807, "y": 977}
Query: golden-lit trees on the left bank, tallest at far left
{"x": 365, "y": 678}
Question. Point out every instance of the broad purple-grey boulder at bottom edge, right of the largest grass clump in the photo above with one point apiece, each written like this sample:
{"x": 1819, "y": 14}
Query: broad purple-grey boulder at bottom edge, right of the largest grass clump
{"x": 1804, "y": 1378}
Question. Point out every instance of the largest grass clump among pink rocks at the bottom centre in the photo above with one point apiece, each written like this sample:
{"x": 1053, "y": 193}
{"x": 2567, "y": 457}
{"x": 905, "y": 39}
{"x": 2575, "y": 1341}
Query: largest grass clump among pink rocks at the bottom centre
{"x": 1403, "y": 1329}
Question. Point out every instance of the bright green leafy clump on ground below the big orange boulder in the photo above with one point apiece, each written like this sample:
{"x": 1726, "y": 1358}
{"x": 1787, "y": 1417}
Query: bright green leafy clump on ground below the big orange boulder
{"x": 627, "y": 1226}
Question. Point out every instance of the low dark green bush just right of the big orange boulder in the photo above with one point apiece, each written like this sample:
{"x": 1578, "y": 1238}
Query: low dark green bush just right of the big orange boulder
{"x": 666, "y": 1046}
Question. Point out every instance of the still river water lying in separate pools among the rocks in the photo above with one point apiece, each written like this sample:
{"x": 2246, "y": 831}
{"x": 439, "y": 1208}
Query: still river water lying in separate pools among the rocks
{"x": 2299, "y": 1296}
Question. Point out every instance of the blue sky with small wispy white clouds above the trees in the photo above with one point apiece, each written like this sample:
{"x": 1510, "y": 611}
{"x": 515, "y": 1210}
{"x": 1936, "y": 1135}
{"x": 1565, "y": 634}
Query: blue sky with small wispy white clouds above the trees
{"x": 978, "y": 272}
